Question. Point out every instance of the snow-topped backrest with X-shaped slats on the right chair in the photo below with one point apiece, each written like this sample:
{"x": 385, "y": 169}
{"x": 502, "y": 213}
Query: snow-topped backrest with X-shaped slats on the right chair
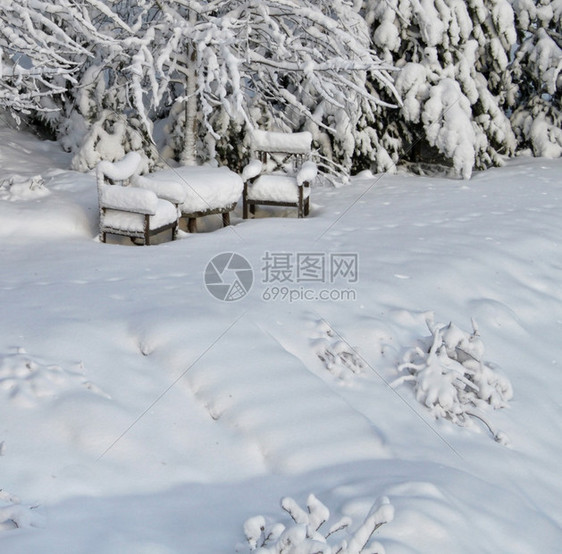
{"x": 277, "y": 150}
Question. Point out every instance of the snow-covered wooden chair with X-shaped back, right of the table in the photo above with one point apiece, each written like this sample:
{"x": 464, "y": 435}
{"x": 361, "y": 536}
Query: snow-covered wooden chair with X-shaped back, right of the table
{"x": 281, "y": 173}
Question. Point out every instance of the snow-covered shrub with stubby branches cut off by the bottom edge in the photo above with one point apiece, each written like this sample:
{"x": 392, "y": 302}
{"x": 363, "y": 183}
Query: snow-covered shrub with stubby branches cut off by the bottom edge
{"x": 307, "y": 536}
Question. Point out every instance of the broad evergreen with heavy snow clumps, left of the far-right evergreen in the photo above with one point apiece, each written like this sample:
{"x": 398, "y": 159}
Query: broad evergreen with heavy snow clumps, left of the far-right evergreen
{"x": 454, "y": 80}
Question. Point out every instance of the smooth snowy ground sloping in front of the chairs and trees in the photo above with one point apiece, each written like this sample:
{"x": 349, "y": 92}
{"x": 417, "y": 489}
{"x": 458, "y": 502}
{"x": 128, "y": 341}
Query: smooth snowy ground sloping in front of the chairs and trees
{"x": 139, "y": 414}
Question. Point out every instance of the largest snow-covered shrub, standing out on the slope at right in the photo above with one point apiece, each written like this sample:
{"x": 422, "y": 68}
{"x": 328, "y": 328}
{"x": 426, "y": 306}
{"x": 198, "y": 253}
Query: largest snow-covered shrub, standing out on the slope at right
{"x": 451, "y": 378}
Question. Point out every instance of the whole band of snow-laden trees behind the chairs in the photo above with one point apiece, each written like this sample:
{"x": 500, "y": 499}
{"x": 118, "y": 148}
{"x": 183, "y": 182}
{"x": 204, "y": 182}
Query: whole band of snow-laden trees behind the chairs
{"x": 462, "y": 83}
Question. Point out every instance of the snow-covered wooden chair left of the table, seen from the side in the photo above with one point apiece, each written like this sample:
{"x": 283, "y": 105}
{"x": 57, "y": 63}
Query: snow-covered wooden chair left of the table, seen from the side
{"x": 134, "y": 206}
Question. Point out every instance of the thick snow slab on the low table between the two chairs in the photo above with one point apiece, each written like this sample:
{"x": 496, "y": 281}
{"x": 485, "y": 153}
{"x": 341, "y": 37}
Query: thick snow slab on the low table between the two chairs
{"x": 207, "y": 188}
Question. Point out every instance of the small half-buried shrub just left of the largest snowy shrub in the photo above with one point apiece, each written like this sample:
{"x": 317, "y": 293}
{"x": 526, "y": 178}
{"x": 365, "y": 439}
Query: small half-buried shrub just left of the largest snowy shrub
{"x": 339, "y": 358}
